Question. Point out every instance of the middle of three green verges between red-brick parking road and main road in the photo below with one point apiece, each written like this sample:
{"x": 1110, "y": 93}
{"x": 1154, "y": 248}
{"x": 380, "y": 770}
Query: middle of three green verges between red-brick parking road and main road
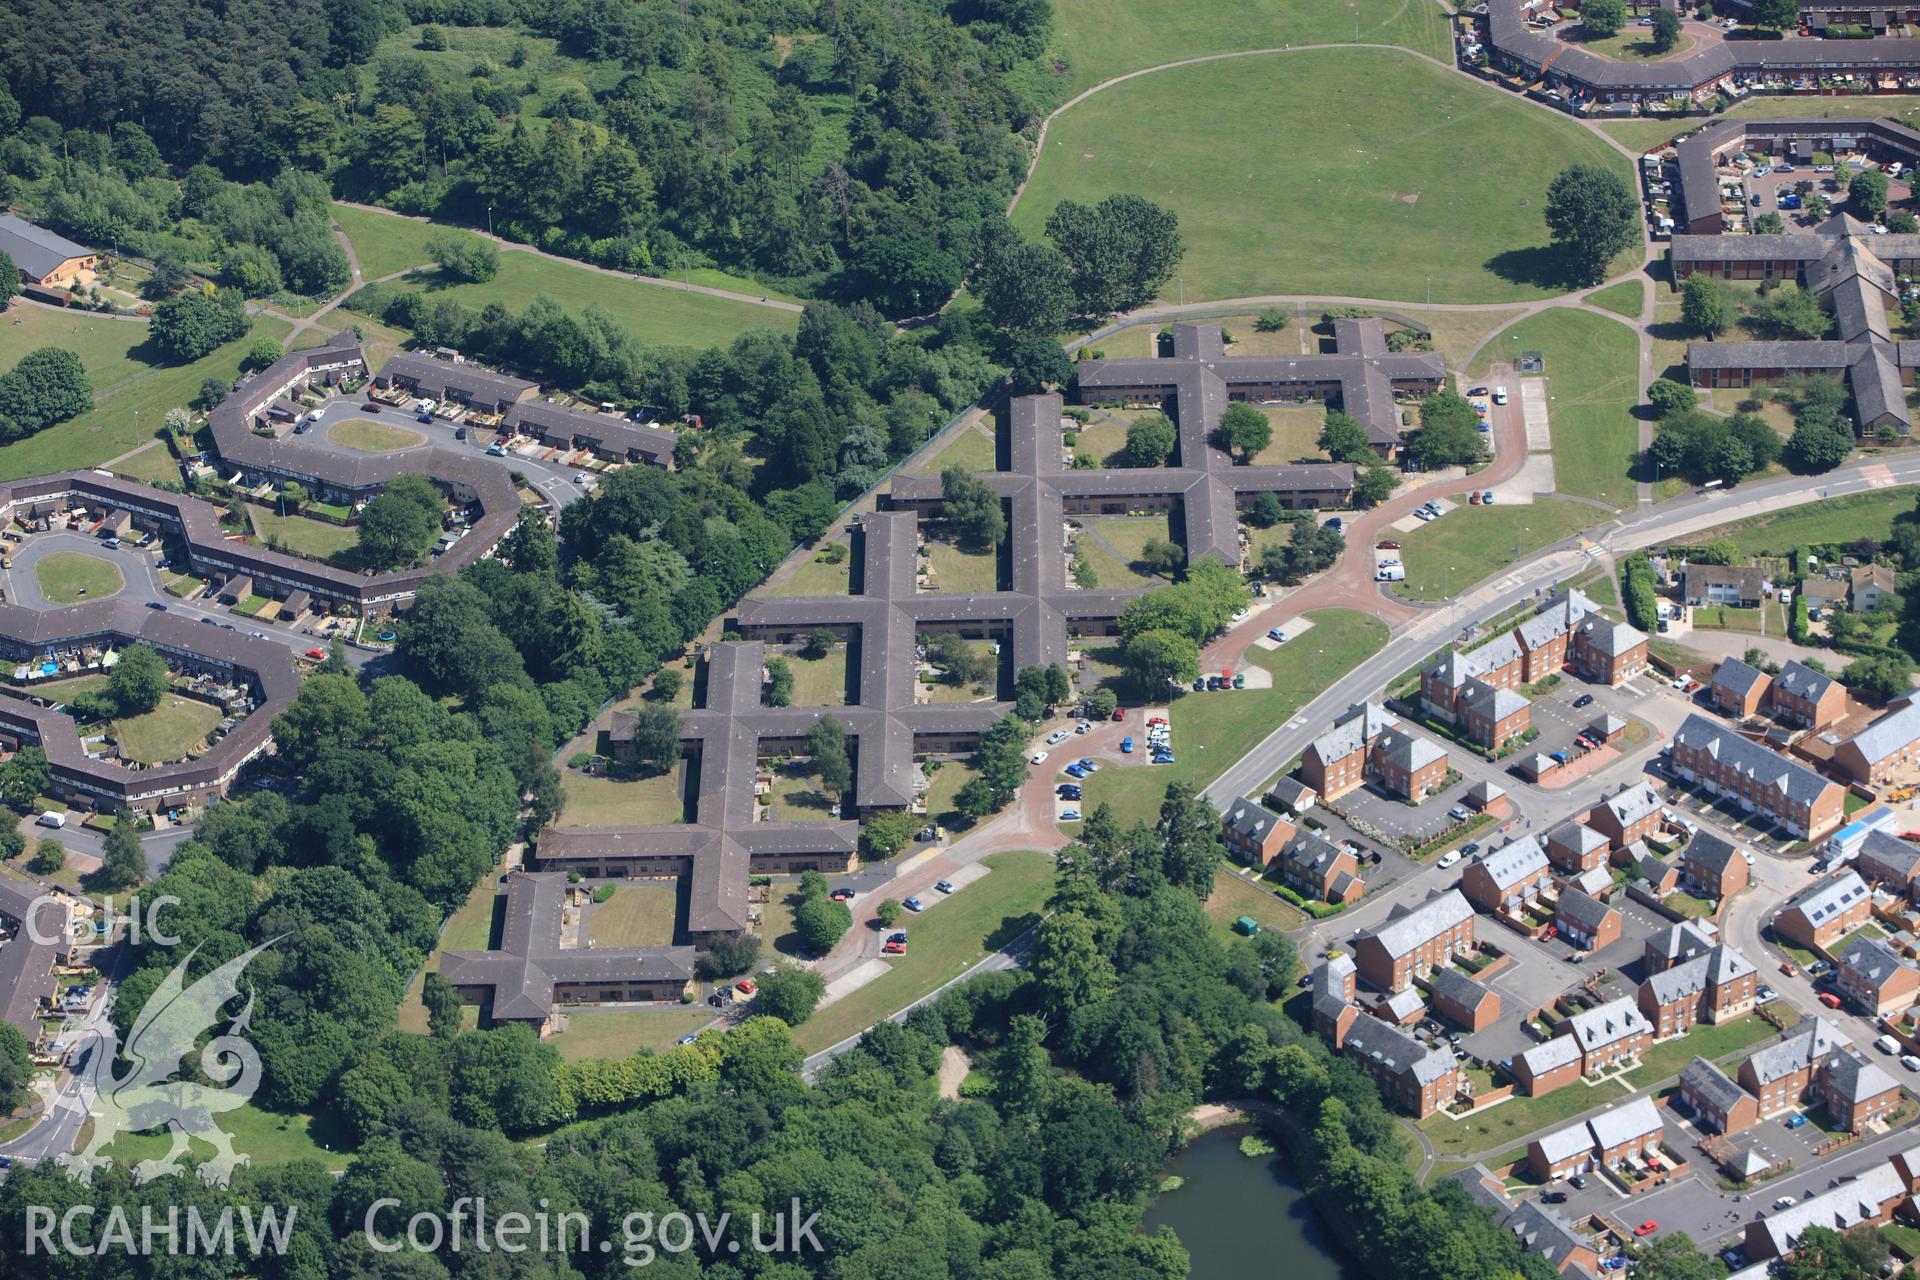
{"x": 1212, "y": 730}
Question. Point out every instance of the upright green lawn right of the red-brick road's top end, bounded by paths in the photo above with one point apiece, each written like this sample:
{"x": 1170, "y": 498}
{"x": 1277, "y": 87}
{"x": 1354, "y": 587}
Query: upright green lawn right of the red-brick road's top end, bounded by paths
{"x": 1595, "y": 381}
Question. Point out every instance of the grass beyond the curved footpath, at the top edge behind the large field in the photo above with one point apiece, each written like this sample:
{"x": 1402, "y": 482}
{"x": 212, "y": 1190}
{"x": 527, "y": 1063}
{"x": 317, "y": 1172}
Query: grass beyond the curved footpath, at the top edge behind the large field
{"x": 1111, "y": 37}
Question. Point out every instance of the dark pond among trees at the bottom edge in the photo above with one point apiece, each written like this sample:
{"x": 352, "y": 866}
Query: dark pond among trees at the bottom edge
{"x": 1243, "y": 1218}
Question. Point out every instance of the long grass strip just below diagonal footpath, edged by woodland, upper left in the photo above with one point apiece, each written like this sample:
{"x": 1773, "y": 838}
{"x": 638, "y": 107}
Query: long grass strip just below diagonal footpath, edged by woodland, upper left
{"x": 656, "y": 314}
